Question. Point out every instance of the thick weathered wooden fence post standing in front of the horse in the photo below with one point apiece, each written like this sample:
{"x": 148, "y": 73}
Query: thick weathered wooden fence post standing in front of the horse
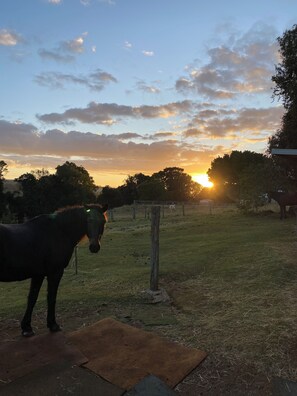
{"x": 155, "y": 224}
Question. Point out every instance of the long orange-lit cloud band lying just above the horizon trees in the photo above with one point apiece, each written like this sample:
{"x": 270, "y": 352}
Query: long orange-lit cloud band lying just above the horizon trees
{"x": 28, "y": 146}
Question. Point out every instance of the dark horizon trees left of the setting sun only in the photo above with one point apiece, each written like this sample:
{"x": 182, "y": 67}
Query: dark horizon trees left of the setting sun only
{"x": 41, "y": 192}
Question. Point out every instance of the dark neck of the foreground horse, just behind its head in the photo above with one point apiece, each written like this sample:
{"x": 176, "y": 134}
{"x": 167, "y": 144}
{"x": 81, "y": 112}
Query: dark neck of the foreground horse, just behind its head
{"x": 73, "y": 223}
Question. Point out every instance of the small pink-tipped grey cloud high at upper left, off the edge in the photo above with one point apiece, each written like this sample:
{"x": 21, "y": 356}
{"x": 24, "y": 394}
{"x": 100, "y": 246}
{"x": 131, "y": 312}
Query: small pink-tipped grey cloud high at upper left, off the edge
{"x": 66, "y": 51}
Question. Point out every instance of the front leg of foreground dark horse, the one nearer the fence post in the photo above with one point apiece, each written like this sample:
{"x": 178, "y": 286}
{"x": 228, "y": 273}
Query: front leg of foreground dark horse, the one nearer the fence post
{"x": 53, "y": 281}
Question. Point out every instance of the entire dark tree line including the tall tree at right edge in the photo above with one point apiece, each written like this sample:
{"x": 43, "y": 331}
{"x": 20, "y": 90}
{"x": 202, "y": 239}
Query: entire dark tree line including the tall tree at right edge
{"x": 238, "y": 177}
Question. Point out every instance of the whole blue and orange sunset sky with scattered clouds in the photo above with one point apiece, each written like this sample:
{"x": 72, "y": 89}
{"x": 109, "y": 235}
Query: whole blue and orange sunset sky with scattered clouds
{"x": 128, "y": 86}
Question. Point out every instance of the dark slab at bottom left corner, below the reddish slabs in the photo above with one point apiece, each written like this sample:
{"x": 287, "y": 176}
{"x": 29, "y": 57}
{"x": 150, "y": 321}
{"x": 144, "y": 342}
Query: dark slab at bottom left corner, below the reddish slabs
{"x": 60, "y": 379}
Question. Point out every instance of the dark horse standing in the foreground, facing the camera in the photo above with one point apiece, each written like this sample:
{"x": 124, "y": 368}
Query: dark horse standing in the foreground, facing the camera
{"x": 42, "y": 247}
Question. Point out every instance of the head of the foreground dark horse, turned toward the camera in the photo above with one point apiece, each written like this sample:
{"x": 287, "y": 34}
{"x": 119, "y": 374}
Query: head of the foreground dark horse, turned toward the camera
{"x": 96, "y": 219}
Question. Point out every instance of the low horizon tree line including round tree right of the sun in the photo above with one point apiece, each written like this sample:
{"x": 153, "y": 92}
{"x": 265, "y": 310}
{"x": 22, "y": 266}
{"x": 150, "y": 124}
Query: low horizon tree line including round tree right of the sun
{"x": 239, "y": 176}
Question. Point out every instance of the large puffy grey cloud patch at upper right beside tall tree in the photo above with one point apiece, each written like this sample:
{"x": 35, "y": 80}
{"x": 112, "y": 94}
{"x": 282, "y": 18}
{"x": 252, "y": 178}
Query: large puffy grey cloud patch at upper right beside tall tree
{"x": 242, "y": 64}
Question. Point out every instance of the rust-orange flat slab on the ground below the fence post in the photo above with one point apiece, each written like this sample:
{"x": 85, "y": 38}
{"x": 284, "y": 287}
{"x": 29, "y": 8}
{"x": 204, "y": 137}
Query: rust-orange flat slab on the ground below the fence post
{"x": 124, "y": 355}
